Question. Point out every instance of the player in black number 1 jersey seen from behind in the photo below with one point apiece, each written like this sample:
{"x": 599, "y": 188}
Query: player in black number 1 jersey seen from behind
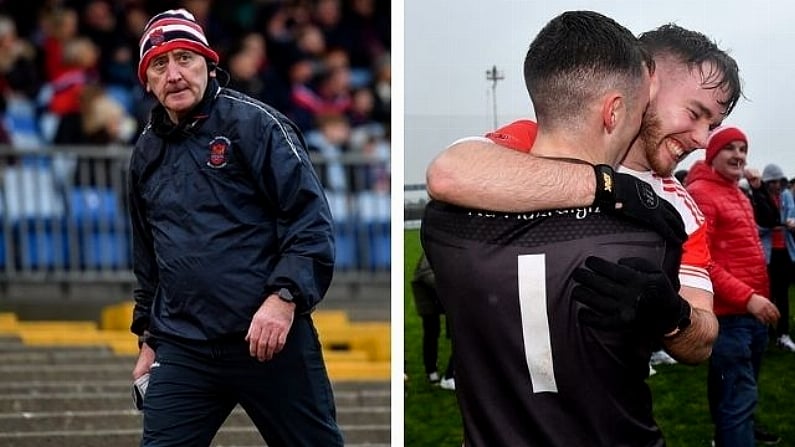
{"x": 540, "y": 362}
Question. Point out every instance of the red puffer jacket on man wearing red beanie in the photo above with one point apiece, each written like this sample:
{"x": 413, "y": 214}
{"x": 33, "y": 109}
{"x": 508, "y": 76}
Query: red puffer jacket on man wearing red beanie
{"x": 738, "y": 260}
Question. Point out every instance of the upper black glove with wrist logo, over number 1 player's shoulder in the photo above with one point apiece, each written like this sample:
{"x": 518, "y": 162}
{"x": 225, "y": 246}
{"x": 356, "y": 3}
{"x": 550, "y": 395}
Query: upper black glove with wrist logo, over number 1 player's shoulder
{"x": 630, "y": 197}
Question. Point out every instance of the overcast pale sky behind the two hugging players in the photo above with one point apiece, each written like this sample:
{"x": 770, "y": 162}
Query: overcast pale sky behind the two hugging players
{"x": 449, "y": 45}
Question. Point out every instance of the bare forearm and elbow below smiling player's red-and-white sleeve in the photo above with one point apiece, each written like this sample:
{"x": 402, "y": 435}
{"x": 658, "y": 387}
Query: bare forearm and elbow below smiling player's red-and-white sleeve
{"x": 693, "y": 344}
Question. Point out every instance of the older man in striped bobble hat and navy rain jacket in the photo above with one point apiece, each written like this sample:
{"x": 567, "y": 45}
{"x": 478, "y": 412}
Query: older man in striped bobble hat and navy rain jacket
{"x": 232, "y": 249}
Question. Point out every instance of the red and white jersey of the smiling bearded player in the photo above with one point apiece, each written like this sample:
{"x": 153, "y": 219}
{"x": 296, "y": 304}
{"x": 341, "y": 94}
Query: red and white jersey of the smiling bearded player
{"x": 520, "y": 136}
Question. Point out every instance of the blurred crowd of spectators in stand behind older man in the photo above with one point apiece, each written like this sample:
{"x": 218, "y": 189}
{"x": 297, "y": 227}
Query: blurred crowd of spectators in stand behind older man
{"x": 68, "y": 73}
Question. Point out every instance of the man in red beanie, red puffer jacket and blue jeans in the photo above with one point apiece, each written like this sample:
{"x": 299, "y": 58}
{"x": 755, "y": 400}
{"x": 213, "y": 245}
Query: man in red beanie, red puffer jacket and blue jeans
{"x": 739, "y": 281}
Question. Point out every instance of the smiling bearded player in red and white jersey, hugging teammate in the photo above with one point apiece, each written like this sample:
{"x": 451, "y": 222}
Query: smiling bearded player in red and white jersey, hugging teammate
{"x": 697, "y": 87}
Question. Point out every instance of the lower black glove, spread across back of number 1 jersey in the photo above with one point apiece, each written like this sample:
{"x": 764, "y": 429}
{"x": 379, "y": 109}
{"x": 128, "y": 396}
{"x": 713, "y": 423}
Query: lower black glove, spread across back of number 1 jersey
{"x": 633, "y": 294}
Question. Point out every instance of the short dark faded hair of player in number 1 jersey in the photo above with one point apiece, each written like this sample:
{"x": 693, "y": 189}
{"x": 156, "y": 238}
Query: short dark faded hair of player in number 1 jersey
{"x": 576, "y": 57}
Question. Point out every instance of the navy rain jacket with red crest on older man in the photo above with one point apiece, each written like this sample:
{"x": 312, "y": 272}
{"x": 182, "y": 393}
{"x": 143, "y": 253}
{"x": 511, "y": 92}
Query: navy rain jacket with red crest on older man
{"x": 225, "y": 209}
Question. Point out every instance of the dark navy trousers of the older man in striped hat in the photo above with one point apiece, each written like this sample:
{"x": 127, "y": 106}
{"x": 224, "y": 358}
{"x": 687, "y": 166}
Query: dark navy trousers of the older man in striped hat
{"x": 194, "y": 386}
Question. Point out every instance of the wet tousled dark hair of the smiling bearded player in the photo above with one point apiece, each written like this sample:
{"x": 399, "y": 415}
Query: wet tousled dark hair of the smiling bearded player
{"x": 697, "y": 51}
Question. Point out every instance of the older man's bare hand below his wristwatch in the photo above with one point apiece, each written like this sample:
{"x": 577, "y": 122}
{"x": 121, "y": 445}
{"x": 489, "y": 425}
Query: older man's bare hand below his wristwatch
{"x": 268, "y": 331}
